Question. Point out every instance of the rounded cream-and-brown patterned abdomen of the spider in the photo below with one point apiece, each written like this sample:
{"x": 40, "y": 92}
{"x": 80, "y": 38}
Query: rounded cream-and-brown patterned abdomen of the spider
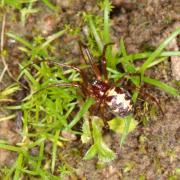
{"x": 119, "y": 101}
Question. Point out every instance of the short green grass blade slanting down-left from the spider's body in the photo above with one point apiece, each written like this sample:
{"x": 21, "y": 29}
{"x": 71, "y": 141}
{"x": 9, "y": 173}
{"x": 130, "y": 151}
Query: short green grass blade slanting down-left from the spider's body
{"x": 79, "y": 115}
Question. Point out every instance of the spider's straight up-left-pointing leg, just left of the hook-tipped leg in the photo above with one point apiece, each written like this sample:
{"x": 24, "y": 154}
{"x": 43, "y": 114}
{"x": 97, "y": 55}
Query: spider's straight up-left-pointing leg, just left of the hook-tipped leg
{"x": 85, "y": 52}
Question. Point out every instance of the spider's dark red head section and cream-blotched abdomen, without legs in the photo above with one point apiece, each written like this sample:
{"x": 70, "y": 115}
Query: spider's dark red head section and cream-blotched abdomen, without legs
{"x": 117, "y": 99}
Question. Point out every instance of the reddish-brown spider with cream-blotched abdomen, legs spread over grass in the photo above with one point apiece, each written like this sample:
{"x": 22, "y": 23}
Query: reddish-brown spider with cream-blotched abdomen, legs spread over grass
{"x": 106, "y": 94}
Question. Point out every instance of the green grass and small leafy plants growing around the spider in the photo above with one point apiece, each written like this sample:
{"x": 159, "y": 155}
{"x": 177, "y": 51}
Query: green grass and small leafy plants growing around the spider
{"x": 52, "y": 110}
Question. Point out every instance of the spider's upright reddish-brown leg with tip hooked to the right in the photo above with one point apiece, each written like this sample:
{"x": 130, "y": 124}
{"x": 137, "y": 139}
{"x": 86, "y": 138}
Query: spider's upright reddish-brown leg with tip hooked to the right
{"x": 103, "y": 62}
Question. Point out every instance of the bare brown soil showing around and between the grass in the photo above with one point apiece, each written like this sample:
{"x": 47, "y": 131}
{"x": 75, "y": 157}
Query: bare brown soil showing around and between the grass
{"x": 151, "y": 151}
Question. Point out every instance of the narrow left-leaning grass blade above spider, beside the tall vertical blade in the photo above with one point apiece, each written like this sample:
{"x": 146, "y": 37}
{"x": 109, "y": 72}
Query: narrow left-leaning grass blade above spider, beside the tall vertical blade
{"x": 95, "y": 34}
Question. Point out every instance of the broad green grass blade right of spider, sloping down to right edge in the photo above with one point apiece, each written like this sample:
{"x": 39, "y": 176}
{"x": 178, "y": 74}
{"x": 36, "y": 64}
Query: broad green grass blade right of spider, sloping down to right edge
{"x": 161, "y": 85}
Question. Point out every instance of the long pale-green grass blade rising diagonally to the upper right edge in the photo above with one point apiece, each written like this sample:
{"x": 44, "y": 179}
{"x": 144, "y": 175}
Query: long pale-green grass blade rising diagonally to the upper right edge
{"x": 157, "y": 52}
